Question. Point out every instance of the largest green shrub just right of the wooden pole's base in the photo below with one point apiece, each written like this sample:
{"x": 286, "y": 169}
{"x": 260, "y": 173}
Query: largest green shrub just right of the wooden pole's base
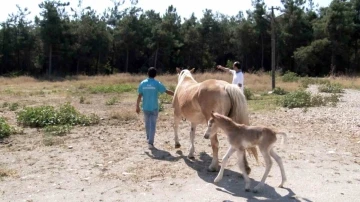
{"x": 296, "y": 99}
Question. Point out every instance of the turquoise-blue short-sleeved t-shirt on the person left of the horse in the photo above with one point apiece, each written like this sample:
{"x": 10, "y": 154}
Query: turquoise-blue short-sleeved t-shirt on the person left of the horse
{"x": 149, "y": 89}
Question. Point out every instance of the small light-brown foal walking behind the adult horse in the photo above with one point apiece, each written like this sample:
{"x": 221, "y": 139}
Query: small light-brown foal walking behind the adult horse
{"x": 242, "y": 137}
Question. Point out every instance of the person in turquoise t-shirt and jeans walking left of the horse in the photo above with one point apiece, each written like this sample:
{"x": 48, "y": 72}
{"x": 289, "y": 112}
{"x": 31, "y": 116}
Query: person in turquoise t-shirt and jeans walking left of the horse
{"x": 148, "y": 91}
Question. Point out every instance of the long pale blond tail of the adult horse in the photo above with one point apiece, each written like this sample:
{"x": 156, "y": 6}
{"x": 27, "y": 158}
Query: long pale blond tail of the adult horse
{"x": 238, "y": 110}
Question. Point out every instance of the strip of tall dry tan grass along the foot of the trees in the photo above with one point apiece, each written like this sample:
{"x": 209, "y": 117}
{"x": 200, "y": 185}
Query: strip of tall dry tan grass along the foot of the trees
{"x": 257, "y": 82}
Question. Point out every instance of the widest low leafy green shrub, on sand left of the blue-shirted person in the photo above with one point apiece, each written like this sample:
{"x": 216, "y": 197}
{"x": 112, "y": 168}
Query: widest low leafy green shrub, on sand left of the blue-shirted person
{"x": 48, "y": 116}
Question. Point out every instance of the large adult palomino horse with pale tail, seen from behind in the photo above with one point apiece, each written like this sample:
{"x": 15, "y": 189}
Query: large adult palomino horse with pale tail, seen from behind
{"x": 195, "y": 101}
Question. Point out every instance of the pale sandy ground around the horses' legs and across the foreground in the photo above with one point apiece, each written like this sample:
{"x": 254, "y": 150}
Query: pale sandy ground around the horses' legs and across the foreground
{"x": 111, "y": 161}
